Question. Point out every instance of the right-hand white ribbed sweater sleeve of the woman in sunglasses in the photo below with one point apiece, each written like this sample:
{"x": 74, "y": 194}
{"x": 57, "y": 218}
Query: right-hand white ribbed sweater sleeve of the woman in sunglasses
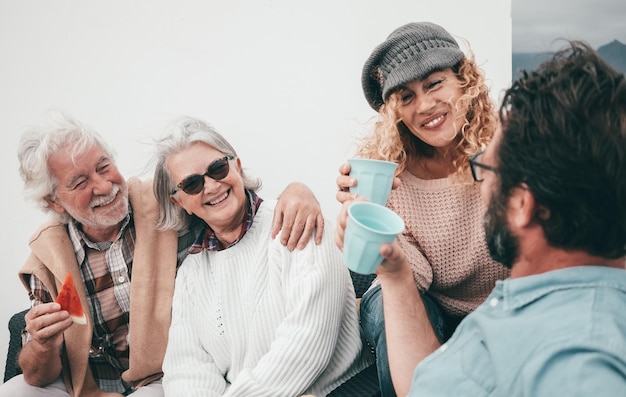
{"x": 316, "y": 294}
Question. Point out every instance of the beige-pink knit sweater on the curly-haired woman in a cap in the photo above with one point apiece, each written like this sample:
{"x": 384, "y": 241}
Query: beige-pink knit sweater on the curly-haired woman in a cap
{"x": 444, "y": 240}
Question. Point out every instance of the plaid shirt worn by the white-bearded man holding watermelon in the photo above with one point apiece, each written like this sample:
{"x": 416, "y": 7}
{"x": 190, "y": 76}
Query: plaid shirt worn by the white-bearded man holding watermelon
{"x": 106, "y": 272}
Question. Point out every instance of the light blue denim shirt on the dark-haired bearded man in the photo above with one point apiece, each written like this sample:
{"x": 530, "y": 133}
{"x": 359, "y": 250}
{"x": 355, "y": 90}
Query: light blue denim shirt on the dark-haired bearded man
{"x": 561, "y": 333}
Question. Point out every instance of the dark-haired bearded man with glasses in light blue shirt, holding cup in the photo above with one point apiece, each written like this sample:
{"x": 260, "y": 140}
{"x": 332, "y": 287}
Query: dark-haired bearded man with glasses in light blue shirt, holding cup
{"x": 554, "y": 181}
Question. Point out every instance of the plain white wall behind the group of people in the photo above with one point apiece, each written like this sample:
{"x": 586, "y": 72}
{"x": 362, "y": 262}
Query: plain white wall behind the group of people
{"x": 280, "y": 79}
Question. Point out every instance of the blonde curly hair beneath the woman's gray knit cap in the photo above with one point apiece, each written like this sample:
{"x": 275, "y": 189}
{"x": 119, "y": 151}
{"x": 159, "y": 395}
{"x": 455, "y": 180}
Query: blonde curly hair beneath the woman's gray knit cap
{"x": 391, "y": 140}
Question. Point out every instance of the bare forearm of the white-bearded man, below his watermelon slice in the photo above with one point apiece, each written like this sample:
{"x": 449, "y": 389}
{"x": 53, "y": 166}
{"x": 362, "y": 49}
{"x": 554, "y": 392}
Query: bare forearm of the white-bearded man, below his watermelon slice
{"x": 40, "y": 365}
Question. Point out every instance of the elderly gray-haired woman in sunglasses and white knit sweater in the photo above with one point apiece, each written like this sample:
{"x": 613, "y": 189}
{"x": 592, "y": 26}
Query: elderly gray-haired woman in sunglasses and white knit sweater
{"x": 249, "y": 316}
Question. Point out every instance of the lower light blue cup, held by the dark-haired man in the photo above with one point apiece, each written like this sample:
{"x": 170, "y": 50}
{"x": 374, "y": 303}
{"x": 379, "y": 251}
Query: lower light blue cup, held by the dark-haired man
{"x": 369, "y": 226}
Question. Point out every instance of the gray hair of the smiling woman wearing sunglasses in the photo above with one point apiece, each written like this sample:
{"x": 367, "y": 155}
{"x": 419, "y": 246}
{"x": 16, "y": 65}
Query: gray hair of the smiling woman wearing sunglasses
{"x": 183, "y": 133}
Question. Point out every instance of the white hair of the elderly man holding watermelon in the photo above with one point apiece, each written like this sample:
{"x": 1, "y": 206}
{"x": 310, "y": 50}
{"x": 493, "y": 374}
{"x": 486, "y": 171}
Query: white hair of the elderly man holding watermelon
{"x": 56, "y": 131}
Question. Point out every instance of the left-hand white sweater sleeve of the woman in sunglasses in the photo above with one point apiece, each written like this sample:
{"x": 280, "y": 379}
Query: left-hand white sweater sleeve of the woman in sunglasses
{"x": 188, "y": 370}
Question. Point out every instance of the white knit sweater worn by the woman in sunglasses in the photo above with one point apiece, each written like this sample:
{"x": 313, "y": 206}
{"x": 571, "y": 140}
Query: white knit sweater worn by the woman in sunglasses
{"x": 258, "y": 320}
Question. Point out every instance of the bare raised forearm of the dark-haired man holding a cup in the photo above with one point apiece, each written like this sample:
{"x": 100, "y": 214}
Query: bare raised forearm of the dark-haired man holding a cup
{"x": 410, "y": 336}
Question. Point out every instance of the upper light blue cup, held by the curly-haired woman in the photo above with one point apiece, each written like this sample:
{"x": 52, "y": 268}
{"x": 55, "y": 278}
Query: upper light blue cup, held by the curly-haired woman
{"x": 374, "y": 178}
